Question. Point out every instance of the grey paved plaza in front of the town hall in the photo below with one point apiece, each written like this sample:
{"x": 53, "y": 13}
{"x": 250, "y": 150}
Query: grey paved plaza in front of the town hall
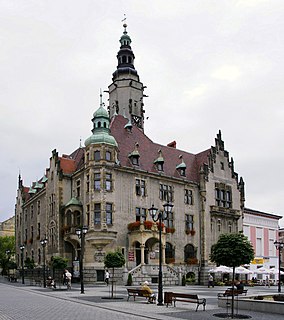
{"x": 20, "y": 301}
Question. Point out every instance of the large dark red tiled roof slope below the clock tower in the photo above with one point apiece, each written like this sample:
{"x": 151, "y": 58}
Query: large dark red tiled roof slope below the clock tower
{"x": 149, "y": 151}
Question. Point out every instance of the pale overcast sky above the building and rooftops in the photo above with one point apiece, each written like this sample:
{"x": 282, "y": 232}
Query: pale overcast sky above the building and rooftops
{"x": 207, "y": 65}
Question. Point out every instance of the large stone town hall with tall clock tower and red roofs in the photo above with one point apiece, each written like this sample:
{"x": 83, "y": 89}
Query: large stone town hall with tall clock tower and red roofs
{"x": 110, "y": 184}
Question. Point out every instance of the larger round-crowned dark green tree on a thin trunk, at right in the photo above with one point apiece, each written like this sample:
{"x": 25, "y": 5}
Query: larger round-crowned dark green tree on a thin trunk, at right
{"x": 232, "y": 250}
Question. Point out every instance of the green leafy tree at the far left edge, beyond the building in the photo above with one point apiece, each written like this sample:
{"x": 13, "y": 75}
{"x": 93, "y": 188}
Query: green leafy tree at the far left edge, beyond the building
{"x": 7, "y": 251}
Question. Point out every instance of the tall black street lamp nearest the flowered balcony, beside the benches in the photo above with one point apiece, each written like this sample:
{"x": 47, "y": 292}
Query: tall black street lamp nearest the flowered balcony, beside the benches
{"x": 160, "y": 216}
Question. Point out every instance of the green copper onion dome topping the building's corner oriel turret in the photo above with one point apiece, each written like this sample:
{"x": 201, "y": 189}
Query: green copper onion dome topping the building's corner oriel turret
{"x": 101, "y": 132}
